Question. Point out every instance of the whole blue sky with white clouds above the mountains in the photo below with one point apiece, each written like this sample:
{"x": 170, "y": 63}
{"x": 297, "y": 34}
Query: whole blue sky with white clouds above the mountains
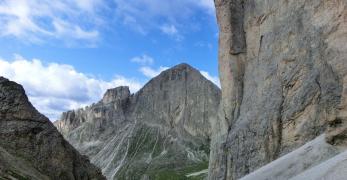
{"x": 67, "y": 53}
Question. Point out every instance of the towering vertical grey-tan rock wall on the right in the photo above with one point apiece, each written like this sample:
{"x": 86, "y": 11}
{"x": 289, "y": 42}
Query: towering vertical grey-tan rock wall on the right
{"x": 283, "y": 73}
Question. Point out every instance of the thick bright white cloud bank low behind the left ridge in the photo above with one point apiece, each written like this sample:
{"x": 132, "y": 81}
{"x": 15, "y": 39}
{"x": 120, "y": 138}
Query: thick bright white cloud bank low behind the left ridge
{"x": 54, "y": 88}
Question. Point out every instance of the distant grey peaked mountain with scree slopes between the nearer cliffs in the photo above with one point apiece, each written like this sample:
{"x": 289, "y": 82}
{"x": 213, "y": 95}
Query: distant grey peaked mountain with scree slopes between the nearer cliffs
{"x": 162, "y": 131}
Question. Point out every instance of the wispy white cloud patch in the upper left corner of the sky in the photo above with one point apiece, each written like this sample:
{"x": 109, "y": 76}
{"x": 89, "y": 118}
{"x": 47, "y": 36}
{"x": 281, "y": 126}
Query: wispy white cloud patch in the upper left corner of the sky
{"x": 36, "y": 20}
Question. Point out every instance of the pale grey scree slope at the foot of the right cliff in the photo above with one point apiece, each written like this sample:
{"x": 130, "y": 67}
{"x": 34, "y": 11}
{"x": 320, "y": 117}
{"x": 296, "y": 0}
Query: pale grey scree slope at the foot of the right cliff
{"x": 316, "y": 160}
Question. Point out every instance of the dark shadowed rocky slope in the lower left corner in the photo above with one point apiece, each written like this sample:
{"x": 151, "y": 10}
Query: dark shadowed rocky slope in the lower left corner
{"x": 30, "y": 145}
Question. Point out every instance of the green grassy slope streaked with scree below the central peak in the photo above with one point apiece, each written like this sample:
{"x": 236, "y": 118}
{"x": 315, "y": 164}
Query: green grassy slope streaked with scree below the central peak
{"x": 145, "y": 158}
